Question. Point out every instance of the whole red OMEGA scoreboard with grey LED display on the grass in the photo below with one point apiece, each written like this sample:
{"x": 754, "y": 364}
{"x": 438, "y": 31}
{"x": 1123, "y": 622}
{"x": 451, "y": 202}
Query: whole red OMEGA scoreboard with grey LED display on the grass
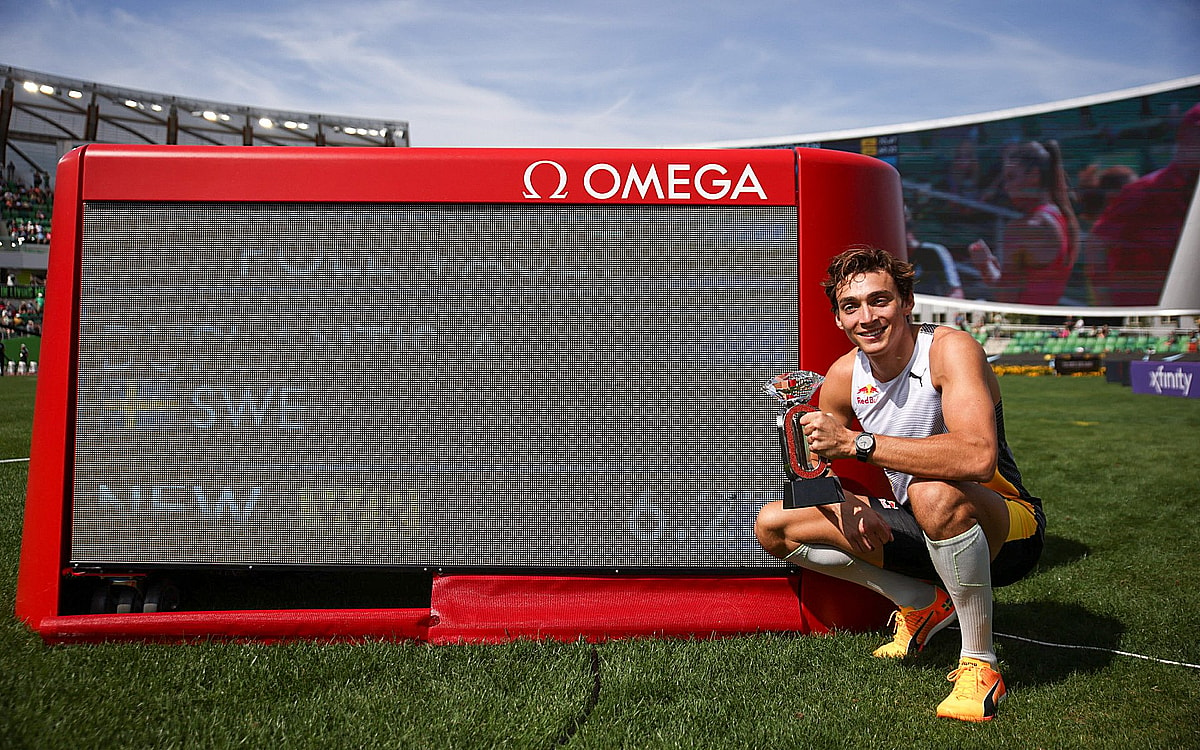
{"x": 503, "y": 365}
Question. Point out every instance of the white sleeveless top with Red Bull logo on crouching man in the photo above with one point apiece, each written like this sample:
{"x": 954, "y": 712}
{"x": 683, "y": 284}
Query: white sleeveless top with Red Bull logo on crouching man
{"x": 907, "y": 406}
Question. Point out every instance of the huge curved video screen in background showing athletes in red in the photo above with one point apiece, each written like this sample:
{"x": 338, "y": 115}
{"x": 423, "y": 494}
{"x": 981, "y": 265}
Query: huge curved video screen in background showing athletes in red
{"x": 980, "y": 230}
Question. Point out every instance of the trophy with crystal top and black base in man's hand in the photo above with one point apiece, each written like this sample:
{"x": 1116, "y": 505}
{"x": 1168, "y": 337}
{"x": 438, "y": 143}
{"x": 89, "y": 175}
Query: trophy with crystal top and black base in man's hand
{"x": 811, "y": 483}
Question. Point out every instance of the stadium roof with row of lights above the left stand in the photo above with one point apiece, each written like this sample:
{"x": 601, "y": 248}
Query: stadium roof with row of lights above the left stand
{"x": 44, "y": 116}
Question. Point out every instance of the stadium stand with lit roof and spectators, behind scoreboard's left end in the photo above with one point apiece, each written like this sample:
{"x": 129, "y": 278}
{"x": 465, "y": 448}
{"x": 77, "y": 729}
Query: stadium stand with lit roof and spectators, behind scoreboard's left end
{"x": 43, "y": 117}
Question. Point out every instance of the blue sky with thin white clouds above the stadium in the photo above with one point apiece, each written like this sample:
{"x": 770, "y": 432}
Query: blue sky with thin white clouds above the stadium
{"x": 627, "y": 74}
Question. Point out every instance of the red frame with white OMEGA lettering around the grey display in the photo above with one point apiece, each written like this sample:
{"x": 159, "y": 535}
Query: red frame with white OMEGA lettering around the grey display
{"x": 842, "y": 199}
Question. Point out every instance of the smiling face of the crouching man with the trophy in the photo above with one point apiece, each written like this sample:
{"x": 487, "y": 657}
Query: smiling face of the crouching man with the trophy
{"x": 872, "y": 313}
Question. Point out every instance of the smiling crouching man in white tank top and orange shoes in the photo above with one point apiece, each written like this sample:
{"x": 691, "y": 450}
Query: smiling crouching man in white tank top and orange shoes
{"x": 959, "y": 521}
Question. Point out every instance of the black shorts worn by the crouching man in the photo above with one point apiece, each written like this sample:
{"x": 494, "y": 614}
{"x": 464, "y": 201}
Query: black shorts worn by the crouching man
{"x": 908, "y": 554}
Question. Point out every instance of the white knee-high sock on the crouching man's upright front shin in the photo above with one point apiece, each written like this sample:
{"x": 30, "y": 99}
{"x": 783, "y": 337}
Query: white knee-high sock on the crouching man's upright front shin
{"x": 964, "y": 563}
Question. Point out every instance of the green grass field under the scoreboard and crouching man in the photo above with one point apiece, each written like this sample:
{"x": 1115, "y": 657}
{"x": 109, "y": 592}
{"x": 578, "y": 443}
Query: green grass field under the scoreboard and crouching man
{"x": 1120, "y": 475}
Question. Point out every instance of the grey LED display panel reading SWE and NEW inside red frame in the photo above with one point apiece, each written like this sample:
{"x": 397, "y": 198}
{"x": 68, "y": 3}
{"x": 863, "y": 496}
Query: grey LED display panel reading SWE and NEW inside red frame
{"x": 455, "y": 386}
